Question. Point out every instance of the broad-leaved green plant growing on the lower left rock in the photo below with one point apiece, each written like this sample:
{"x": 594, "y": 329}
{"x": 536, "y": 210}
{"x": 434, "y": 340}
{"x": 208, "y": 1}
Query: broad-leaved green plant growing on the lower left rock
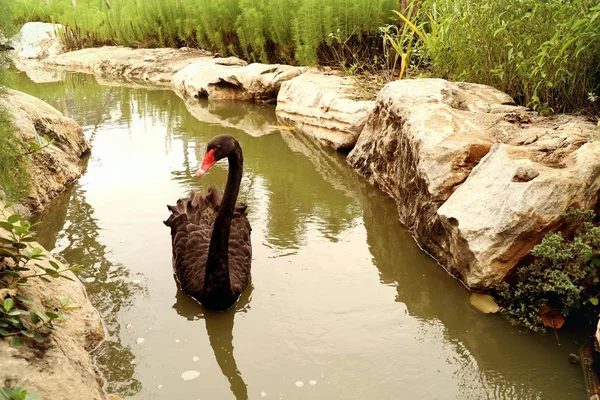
{"x": 19, "y": 265}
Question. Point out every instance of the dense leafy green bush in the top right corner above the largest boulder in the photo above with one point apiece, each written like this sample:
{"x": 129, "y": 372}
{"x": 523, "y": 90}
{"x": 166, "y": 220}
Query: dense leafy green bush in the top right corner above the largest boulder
{"x": 543, "y": 53}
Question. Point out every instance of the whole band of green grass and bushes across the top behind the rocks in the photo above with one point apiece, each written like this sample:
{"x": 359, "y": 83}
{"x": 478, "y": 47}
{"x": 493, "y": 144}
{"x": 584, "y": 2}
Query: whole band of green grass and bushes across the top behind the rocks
{"x": 543, "y": 53}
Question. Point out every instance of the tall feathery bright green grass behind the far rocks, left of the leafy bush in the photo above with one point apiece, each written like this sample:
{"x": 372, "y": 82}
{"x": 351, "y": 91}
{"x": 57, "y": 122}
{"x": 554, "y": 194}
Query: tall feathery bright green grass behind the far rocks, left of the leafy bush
{"x": 259, "y": 30}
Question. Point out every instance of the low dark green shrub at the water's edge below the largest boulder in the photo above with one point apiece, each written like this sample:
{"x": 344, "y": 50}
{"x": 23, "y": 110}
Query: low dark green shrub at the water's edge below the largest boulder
{"x": 562, "y": 280}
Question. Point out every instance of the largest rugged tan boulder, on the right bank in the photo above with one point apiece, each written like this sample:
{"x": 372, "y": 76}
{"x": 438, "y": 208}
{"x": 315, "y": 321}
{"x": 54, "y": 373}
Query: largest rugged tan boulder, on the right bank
{"x": 477, "y": 180}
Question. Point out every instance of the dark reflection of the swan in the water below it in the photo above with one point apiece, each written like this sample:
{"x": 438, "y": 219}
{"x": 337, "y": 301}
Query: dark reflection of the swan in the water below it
{"x": 219, "y": 327}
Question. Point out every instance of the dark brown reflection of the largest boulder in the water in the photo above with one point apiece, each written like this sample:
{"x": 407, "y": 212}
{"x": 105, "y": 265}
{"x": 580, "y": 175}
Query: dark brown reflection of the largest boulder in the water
{"x": 480, "y": 342}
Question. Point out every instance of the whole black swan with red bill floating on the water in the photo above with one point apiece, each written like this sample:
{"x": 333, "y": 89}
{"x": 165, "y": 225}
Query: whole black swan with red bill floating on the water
{"x": 210, "y": 235}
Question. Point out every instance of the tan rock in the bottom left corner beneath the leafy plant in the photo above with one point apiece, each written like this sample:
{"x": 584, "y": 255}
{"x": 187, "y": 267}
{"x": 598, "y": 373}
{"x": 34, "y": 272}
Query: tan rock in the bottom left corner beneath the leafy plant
{"x": 61, "y": 366}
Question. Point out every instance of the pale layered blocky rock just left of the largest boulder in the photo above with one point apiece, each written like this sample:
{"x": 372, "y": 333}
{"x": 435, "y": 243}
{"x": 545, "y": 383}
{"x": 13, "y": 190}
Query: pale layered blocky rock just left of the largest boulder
{"x": 323, "y": 106}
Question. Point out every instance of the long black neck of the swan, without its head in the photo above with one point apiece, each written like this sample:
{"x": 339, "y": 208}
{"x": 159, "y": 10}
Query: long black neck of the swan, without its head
{"x": 216, "y": 278}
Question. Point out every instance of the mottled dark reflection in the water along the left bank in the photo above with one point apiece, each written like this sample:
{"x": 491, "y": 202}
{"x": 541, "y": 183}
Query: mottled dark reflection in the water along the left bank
{"x": 74, "y": 233}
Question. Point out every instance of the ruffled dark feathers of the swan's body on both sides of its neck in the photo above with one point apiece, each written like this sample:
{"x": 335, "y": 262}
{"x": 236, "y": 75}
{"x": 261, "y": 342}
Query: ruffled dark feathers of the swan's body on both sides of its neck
{"x": 191, "y": 222}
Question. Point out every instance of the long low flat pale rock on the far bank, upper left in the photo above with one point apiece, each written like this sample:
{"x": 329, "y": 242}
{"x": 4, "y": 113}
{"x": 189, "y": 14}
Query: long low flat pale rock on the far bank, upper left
{"x": 155, "y": 66}
